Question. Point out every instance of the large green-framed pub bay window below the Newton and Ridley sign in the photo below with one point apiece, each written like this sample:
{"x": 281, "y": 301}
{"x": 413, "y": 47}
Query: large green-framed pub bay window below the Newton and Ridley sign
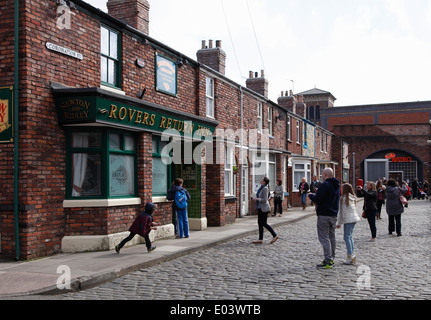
{"x": 101, "y": 165}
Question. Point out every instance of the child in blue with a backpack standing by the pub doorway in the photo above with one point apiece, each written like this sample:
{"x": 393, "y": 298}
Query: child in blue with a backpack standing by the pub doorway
{"x": 180, "y": 197}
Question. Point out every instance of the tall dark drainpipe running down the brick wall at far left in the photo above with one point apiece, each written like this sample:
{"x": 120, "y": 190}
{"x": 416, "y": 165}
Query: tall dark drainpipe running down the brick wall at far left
{"x": 16, "y": 127}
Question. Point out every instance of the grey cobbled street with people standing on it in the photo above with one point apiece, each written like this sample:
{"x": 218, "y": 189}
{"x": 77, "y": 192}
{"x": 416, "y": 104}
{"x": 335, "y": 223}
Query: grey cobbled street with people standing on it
{"x": 390, "y": 268}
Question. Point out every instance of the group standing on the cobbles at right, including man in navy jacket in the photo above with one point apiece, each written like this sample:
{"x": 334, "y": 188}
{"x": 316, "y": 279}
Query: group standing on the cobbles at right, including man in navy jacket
{"x": 335, "y": 208}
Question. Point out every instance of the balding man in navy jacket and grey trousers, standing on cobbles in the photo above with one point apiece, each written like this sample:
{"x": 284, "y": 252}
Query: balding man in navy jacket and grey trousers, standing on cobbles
{"x": 327, "y": 200}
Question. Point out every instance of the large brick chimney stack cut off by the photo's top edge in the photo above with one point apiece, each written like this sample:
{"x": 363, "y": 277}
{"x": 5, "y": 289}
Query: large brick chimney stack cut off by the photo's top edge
{"x": 135, "y": 13}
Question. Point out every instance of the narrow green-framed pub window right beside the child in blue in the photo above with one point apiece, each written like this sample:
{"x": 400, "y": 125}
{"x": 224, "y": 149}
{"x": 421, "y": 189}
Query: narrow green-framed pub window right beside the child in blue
{"x": 160, "y": 169}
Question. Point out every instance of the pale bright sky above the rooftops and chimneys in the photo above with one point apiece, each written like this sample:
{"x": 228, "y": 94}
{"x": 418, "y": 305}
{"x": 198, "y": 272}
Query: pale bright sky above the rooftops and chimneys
{"x": 362, "y": 51}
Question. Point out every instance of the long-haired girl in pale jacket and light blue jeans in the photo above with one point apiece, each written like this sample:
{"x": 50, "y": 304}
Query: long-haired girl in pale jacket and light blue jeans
{"x": 348, "y": 217}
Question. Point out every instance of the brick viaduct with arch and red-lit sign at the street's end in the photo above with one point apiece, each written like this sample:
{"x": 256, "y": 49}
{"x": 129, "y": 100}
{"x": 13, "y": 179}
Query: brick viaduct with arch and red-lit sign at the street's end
{"x": 386, "y": 140}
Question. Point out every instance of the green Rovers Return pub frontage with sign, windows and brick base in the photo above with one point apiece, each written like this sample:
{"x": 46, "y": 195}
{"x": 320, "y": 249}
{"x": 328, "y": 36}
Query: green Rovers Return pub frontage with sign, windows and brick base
{"x": 117, "y": 161}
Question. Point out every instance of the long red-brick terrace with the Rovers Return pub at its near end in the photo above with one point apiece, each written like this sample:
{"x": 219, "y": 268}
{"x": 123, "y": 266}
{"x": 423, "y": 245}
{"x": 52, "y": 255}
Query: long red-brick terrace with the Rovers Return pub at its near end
{"x": 97, "y": 98}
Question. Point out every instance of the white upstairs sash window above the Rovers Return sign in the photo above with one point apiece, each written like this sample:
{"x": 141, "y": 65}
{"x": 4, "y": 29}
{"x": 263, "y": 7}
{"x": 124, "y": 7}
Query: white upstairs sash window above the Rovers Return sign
{"x": 110, "y": 57}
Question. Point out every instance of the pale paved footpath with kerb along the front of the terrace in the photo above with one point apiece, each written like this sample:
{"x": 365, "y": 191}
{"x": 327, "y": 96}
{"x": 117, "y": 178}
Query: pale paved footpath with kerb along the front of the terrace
{"x": 46, "y": 276}
